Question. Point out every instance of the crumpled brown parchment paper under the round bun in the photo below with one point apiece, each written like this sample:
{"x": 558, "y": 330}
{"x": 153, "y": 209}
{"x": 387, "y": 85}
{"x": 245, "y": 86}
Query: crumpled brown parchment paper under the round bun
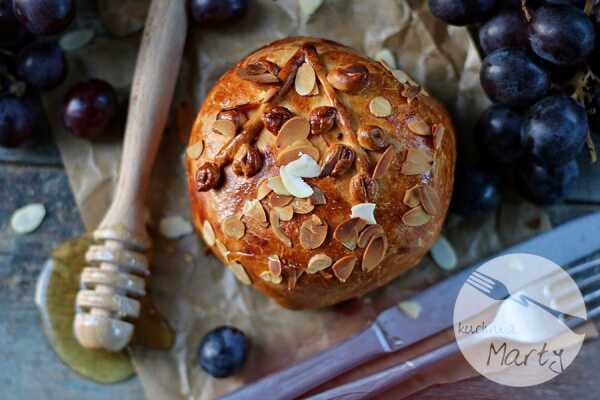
{"x": 189, "y": 287}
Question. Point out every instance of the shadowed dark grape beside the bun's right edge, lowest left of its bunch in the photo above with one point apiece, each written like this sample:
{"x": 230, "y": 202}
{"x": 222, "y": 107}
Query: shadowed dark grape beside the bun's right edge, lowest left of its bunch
{"x": 476, "y": 192}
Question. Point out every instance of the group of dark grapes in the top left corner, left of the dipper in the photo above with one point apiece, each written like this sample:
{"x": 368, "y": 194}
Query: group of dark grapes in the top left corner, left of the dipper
{"x": 32, "y": 61}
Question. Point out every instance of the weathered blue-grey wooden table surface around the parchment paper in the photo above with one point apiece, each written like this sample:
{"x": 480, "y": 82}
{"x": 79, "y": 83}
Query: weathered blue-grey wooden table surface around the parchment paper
{"x": 30, "y": 370}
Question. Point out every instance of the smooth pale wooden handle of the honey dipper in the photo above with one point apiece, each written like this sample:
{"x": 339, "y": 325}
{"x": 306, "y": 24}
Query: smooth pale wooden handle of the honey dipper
{"x": 156, "y": 71}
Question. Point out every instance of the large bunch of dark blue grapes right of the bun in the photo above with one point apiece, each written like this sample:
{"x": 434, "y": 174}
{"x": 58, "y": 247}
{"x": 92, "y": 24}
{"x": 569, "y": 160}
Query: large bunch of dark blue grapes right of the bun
{"x": 541, "y": 70}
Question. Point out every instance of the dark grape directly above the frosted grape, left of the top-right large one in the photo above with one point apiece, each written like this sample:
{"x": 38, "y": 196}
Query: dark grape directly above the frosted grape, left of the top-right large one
{"x": 506, "y": 29}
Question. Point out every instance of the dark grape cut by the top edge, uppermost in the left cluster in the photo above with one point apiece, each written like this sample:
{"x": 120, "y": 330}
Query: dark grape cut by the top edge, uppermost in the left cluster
{"x": 45, "y": 17}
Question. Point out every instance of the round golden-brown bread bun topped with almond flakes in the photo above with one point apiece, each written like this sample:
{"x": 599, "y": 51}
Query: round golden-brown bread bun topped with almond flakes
{"x": 318, "y": 175}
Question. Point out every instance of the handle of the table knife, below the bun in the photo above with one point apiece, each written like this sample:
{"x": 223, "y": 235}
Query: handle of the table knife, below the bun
{"x": 296, "y": 380}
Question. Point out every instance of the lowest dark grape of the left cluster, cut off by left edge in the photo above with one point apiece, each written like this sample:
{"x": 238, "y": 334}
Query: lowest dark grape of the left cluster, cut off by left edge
{"x": 18, "y": 119}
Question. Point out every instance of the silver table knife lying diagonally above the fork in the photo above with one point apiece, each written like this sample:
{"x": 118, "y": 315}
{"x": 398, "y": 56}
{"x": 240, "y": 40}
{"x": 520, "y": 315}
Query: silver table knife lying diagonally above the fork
{"x": 392, "y": 330}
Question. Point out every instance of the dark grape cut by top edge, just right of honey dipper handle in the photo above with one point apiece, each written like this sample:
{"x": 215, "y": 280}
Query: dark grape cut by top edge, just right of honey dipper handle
{"x": 217, "y": 11}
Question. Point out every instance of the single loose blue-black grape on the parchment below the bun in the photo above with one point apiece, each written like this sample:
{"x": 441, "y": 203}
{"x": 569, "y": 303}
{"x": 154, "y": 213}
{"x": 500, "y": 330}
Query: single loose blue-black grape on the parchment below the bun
{"x": 223, "y": 351}
